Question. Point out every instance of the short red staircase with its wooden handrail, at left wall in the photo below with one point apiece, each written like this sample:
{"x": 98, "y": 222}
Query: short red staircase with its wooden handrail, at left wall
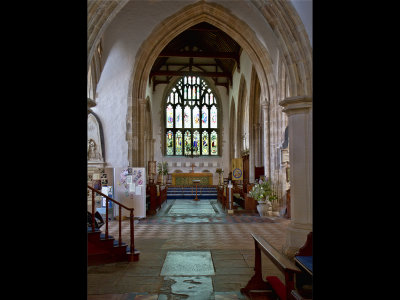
{"x": 104, "y": 248}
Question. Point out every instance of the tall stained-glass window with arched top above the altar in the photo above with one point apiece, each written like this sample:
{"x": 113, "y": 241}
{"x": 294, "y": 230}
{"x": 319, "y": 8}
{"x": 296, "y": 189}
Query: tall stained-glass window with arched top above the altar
{"x": 191, "y": 112}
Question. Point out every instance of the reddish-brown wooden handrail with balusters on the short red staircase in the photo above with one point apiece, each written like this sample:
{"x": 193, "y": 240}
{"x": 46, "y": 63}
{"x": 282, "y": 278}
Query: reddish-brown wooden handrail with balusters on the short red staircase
{"x": 131, "y": 219}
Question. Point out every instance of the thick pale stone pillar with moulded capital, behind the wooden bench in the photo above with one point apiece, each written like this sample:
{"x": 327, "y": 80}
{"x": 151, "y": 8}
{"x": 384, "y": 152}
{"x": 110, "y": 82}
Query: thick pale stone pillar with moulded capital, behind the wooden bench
{"x": 299, "y": 112}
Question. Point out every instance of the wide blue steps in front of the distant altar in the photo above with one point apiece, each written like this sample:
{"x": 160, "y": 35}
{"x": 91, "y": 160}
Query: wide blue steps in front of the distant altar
{"x": 176, "y": 192}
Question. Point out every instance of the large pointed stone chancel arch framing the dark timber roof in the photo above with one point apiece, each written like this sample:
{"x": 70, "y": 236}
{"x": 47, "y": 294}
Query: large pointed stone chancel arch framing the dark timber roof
{"x": 168, "y": 29}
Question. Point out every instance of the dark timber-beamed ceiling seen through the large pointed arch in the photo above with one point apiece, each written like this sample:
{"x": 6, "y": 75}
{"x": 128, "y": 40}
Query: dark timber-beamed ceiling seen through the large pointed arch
{"x": 202, "y": 50}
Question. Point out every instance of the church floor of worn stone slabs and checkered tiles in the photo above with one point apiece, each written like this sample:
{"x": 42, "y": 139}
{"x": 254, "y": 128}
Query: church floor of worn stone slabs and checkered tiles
{"x": 188, "y": 250}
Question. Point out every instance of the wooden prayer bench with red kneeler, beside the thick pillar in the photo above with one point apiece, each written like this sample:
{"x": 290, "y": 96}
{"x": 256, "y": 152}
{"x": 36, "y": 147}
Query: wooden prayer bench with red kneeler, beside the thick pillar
{"x": 273, "y": 285}
